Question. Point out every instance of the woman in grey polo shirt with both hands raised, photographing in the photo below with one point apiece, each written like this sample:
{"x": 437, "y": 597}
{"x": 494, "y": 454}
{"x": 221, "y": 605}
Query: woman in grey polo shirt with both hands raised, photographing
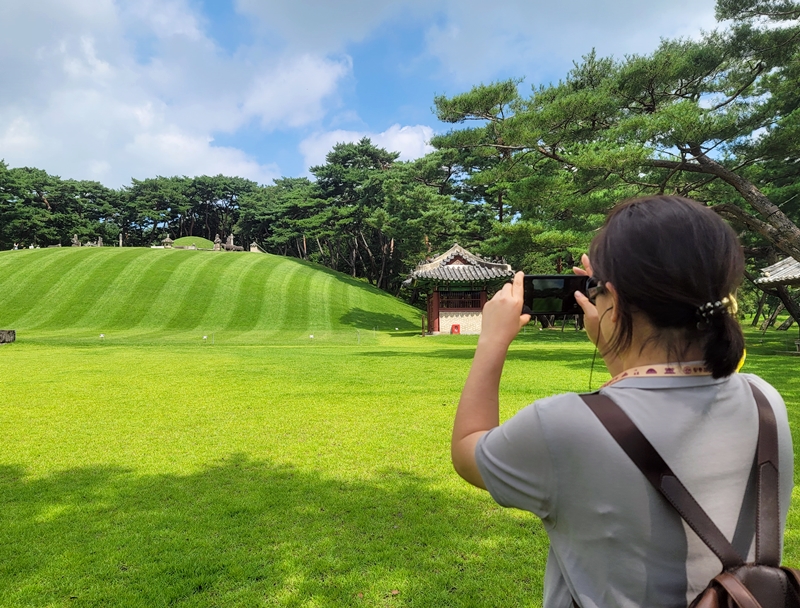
{"x": 665, "y": 270}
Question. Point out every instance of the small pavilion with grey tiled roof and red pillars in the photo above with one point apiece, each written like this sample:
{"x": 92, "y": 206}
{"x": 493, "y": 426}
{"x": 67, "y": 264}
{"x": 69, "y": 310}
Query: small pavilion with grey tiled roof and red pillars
{"x": 458, "y": 283}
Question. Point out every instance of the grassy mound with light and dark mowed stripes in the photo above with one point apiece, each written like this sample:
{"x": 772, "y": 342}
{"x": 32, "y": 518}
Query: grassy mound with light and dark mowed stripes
{"x": 245, "y": 297}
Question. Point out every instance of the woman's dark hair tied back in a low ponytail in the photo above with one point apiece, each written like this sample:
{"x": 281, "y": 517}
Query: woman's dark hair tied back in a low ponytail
{"x": 668, "y": 256}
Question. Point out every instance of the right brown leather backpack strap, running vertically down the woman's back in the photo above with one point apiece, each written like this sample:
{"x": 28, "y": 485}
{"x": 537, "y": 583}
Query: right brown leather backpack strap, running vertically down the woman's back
{"x": 768, "y": 550}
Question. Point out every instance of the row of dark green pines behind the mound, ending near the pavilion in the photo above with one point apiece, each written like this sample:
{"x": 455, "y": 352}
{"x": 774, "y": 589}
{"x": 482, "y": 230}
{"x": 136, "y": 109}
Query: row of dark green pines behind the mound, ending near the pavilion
{"x": 365, "y": 213}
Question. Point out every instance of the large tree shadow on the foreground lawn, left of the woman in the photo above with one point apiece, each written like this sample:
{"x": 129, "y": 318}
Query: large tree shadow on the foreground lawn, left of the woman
{"x": 249, "y": 533}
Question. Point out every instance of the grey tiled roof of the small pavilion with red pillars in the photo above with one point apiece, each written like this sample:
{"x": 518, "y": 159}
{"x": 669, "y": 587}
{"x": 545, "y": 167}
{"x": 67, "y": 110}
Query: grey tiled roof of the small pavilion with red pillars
{"x": 457, "y": 265}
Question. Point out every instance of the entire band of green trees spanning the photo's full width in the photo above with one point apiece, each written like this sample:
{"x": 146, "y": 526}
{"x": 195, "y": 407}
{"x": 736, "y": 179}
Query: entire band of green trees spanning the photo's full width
{"x": 527, "y": 178}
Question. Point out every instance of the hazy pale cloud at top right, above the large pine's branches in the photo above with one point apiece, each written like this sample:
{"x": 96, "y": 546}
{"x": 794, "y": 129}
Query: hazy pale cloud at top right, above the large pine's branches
{"x": 531, "y": 38}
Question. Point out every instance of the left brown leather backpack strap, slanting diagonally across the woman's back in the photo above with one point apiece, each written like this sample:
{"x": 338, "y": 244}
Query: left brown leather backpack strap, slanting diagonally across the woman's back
{"x": 658, "y": 473}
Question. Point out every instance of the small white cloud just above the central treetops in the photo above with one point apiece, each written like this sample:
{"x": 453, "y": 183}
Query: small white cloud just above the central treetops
{"x": 410, "y": 142}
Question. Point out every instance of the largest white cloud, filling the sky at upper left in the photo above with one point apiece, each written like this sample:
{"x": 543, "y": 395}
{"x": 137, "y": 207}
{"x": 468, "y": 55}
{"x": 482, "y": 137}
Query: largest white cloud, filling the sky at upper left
{"x": 86, "y": 106}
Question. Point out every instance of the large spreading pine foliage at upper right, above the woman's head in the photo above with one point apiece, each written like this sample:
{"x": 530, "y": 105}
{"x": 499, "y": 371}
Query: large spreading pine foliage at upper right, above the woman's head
{"x": 715, "y": 119}
